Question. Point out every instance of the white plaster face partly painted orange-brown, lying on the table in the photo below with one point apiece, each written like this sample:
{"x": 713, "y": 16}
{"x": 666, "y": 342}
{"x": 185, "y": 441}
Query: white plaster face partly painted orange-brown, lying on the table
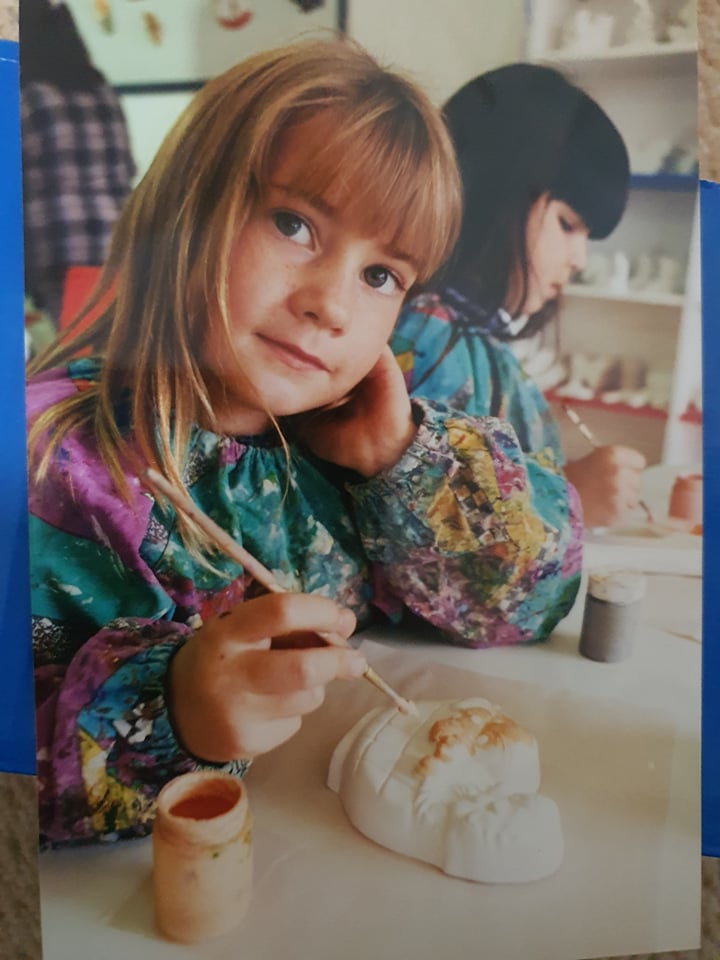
{"x": 455, "y": 786}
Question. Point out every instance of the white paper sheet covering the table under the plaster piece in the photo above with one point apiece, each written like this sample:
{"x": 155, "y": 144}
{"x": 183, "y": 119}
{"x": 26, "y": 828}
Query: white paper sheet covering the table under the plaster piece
{"x": 629, "y": 882}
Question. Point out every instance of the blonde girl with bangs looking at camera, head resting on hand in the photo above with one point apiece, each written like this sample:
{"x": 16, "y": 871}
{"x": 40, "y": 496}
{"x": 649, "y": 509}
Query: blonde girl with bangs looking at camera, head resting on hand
{"x": 256, "y": 274}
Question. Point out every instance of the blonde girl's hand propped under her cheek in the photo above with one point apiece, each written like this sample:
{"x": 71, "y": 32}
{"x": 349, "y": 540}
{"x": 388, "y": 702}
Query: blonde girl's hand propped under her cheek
{"x": 372, "y": 429}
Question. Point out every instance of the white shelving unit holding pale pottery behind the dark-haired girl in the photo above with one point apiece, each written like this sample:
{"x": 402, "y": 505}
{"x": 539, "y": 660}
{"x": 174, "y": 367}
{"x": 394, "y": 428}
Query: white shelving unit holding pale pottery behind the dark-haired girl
{"x": 650, "y": 92}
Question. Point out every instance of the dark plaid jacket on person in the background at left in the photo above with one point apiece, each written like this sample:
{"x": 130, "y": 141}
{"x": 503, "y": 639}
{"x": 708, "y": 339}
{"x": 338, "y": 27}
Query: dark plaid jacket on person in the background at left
{"x": 77, "y": 171}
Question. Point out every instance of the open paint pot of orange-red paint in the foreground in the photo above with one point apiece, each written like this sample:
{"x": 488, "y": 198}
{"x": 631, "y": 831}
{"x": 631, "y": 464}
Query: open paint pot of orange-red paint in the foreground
{"x": 202, "y": 856}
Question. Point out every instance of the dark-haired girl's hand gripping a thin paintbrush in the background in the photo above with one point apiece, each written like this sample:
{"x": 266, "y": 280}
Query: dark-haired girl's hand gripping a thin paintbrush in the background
{"x": 608, "y": 481}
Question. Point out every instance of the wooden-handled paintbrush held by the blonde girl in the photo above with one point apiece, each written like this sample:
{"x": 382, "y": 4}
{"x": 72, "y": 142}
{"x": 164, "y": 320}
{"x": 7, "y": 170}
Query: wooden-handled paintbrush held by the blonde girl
{"x": 225, "y": 544}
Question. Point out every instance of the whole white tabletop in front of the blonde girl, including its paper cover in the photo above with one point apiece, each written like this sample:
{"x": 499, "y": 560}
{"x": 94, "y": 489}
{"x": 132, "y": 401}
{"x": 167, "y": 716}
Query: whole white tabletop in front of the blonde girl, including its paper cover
{"x": 324, "y": 892}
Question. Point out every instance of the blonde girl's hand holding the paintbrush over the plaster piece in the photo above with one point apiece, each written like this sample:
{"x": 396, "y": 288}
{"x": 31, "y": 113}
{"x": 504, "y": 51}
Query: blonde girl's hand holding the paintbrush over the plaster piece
{"x": 232, "y": 697}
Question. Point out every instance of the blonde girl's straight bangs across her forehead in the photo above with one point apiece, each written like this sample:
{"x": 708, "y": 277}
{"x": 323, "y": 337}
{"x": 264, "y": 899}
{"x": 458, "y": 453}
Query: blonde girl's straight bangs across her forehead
{"x": 390, "y": 180}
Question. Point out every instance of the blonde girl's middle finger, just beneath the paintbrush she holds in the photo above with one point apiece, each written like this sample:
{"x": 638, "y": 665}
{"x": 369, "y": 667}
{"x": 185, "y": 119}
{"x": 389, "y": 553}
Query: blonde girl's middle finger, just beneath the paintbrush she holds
{"x": 287, "y": 671}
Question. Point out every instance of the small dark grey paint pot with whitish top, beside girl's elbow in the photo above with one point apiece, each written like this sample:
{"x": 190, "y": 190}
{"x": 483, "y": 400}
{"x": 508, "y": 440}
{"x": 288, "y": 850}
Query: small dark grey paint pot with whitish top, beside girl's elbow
{"x": 612, "y": 611}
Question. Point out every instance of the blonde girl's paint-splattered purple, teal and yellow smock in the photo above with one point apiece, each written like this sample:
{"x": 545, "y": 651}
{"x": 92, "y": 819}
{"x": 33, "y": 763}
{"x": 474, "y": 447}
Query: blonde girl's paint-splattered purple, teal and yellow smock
{"x": 452, "y": 533}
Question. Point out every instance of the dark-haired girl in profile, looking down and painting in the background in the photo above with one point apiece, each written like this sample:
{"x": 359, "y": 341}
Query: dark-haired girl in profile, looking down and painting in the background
{"x": 543, "y": 169}
